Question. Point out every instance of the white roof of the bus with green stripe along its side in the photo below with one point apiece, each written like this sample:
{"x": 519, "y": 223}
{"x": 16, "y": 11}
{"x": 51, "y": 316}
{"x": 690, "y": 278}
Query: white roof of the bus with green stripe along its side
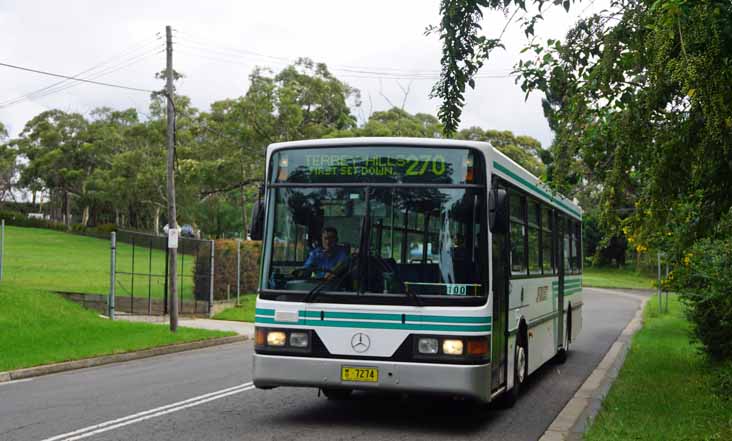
{"x": 501, "y": 164}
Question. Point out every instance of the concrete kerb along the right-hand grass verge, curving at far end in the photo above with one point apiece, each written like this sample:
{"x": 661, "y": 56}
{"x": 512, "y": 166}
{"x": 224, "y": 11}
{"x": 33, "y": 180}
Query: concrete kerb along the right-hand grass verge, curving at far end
{"x": 574, "y": 419}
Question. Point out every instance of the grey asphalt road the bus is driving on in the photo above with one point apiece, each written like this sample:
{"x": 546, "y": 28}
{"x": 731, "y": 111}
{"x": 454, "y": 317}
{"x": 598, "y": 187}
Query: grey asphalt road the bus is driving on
{"x": 206, "y": 395}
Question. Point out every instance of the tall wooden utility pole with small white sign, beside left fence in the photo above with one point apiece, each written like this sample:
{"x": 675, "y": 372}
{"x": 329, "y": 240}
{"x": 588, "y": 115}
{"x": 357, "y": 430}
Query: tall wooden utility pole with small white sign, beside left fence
{"x": 172, "y": 222}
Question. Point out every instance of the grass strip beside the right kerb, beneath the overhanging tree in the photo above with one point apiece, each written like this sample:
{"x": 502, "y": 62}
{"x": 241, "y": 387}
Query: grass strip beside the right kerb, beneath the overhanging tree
{"x": 664, "y": 390}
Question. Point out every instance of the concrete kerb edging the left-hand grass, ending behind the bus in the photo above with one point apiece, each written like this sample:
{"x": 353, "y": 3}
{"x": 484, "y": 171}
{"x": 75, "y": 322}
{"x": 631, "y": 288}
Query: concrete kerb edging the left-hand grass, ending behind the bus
{"x": 36, "y": 371}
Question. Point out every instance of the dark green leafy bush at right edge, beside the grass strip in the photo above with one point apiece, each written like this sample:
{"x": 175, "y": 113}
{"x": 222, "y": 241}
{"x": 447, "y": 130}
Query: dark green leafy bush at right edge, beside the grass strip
{"x": 704, "y": 282}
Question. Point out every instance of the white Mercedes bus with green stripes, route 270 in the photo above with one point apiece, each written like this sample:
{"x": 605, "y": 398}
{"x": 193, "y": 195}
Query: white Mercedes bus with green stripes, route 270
{"x": 458, "y": 273}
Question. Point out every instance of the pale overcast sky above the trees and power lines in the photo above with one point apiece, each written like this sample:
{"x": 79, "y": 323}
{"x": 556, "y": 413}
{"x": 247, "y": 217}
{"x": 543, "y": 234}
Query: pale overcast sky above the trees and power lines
{"x": 377, "y": 46}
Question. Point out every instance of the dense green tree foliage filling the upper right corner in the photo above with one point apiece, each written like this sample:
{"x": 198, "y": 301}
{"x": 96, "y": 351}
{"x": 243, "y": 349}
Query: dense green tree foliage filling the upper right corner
{"x": 640, "y": 101}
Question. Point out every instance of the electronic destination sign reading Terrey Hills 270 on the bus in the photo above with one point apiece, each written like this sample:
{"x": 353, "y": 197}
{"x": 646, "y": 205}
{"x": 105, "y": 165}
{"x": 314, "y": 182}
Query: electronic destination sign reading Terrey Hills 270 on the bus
{"x": 376, "y": 164}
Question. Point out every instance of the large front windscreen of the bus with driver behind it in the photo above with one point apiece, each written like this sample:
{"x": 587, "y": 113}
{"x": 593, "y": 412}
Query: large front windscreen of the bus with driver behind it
{"x": 376, "y": 241}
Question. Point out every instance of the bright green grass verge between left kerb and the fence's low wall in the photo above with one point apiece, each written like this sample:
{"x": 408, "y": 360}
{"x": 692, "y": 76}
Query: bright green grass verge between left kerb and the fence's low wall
{"x": 40, "y": 328}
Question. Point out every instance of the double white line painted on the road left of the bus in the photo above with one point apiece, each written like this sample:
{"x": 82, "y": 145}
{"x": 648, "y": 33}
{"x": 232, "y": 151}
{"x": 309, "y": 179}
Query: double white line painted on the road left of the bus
{"x": 151, "y": 413}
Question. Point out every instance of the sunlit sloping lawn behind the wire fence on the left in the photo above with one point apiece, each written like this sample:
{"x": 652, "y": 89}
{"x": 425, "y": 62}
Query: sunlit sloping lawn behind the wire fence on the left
{"x": 57, "y": 261}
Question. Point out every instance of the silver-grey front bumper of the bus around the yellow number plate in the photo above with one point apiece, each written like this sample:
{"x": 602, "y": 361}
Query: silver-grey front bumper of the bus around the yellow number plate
{"x": 464, "y": 380}
